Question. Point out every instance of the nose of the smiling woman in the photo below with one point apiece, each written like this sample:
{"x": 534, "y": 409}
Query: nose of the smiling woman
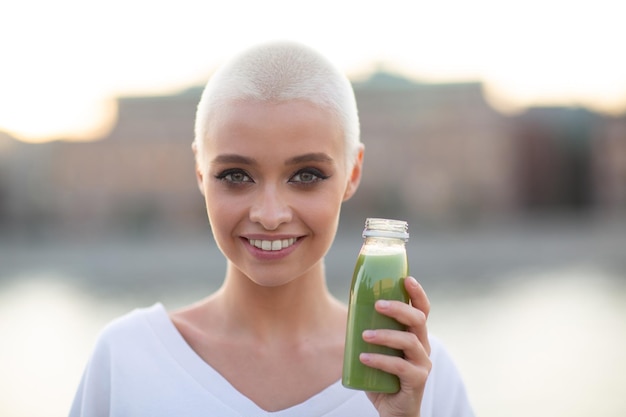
{"x": 270, "y": 208}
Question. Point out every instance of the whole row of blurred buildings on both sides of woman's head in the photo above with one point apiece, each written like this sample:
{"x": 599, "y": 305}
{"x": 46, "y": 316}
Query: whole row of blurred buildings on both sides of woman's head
{"x": 434, "y": 153}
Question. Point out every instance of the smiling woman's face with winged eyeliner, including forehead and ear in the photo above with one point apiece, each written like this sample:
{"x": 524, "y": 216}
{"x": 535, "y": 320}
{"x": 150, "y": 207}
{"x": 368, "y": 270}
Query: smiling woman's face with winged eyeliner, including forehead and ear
{"x": 274, "y": 177}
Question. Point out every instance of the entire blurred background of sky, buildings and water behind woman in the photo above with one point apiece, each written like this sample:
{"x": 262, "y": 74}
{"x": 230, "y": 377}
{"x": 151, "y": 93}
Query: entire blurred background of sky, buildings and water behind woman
{"x": 498, "y": 130}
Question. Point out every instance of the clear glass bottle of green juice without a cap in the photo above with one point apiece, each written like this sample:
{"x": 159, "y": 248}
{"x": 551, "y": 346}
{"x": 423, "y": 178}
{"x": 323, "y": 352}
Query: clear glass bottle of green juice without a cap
{"x": 379, "y": 273}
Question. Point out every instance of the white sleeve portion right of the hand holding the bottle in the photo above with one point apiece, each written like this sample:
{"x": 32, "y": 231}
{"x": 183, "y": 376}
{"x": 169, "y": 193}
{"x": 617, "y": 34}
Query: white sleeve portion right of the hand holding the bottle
{"x": 445, "y": 394}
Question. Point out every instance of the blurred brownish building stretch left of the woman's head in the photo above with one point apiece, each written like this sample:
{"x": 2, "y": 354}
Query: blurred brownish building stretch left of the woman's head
{"x": 138, "y": 179}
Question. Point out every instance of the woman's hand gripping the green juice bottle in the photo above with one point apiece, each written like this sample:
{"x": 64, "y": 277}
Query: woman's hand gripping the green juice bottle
{"x": 414, "y": 368}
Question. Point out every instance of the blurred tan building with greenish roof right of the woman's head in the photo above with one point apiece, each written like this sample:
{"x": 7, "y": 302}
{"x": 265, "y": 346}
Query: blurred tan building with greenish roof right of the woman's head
{"x": 434, "y": 151}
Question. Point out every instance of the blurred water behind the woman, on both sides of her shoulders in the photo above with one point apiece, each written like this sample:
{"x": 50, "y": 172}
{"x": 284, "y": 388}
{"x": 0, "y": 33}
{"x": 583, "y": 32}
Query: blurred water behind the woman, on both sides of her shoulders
{"x": 536, "y": 321}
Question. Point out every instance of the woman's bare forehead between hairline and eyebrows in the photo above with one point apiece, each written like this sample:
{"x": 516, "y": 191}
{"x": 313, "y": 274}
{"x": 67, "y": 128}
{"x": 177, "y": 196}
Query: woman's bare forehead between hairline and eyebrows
{"x": 284, "y": 127}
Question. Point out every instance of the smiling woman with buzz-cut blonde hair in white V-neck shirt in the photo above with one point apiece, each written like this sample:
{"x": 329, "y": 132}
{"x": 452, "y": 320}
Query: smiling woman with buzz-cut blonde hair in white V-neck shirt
{"x": 277, "y": 153}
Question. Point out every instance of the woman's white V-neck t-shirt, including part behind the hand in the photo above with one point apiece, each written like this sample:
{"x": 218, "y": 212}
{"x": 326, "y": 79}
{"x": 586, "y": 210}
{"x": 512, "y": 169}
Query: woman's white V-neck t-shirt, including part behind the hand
{"x": 142, "y": 366}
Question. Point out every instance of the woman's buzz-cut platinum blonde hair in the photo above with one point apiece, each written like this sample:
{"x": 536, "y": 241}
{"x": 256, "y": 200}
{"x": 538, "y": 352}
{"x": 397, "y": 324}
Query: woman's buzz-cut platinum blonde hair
{"x": 278, "y": 72}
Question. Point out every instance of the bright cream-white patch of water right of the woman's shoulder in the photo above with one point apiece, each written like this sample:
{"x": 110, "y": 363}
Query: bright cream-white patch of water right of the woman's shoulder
{"x": 548, "y": 344}
